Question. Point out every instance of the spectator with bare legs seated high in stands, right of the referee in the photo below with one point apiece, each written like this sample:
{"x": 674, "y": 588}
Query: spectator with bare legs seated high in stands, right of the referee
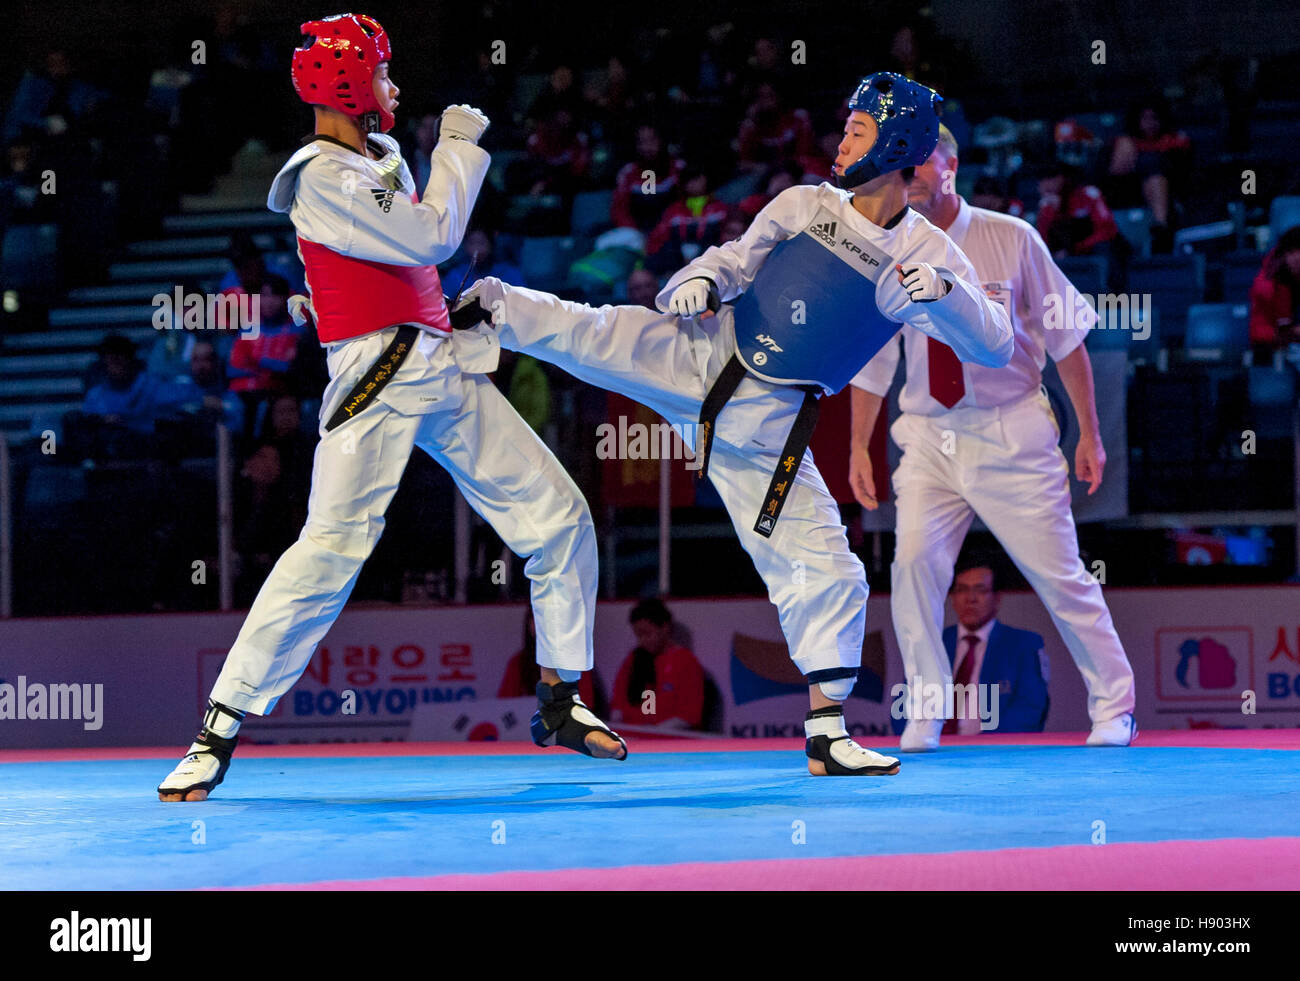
{"x": 1147, "y": 160}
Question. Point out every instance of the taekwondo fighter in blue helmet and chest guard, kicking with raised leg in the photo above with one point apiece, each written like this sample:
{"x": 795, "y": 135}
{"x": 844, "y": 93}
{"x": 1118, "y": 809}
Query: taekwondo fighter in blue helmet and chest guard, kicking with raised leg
{"x": 821, "y": 281}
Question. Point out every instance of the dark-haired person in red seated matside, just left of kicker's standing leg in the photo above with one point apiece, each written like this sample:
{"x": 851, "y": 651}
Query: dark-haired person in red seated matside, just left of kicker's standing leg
{"x": 658, "y": 676}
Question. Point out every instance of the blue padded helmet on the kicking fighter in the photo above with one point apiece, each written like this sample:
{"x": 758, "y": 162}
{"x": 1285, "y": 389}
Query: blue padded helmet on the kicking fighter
{"x": 908, "y": 120}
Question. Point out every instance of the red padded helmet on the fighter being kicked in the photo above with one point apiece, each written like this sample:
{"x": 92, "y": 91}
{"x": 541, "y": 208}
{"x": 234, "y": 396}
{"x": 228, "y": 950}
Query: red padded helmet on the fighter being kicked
{"x": 336, "y": 67}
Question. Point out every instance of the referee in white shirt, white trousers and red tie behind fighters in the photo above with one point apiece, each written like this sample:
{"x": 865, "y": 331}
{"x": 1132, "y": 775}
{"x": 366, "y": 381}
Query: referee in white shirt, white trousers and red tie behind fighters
{"x": 983, "y": 441}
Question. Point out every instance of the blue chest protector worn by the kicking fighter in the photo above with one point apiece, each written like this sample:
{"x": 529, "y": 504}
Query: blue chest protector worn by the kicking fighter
{"x": 811, "y": 316}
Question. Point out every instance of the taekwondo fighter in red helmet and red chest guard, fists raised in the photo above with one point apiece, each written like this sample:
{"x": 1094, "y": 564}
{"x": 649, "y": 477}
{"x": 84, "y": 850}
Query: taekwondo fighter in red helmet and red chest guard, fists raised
{"x": 398, "y": 379}
